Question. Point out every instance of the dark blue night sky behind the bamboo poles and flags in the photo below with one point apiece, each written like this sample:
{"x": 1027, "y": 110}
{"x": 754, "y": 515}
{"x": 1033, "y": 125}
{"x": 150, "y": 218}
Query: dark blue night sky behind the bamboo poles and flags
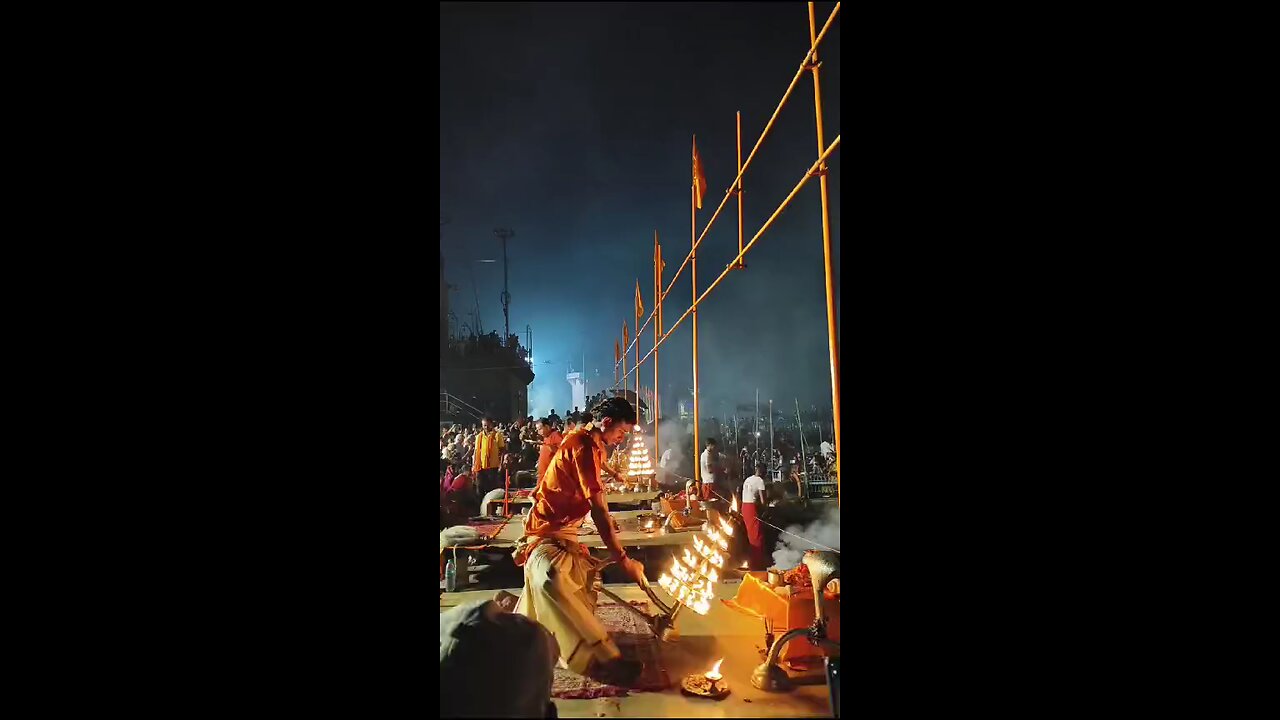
{"x": 572, "y": 125}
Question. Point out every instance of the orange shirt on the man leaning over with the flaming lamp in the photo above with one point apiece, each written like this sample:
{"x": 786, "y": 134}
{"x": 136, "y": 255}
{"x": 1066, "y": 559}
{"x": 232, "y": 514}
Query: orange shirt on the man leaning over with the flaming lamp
{"x": 563, "y": 498}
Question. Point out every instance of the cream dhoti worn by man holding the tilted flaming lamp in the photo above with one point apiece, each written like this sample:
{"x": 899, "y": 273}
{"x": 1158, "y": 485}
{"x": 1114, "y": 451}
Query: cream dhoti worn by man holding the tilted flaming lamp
{"x": 560, "y": 580}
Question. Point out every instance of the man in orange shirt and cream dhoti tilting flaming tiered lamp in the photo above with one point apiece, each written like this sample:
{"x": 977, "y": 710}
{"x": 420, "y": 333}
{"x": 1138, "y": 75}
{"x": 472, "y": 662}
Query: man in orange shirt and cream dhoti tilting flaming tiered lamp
{"x": 560, "y": 575}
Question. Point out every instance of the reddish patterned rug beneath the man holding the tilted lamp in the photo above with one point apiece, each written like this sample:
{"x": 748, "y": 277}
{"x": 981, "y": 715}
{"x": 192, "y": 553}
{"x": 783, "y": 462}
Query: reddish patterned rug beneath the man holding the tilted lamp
{"x": 636, "y": 641}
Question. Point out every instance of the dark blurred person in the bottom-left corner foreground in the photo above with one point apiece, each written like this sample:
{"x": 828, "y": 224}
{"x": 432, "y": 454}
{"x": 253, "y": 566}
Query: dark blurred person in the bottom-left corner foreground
{"x": 481, "y": 637}
